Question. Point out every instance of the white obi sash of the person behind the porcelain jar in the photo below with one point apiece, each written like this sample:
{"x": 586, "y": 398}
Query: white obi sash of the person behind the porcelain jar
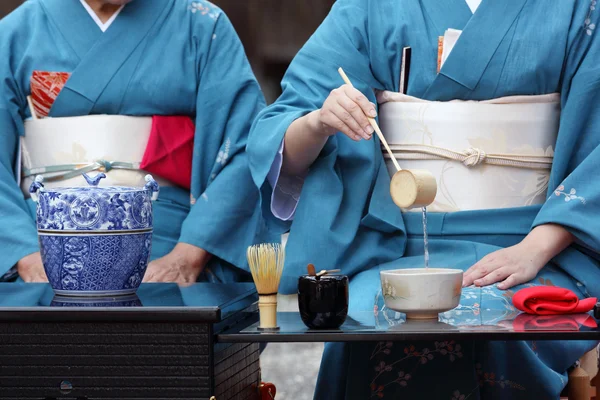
{"x": 62, "y": 149}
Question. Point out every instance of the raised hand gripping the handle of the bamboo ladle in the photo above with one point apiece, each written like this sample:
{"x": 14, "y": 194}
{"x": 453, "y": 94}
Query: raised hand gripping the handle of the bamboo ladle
{"x": 345, "y": 110}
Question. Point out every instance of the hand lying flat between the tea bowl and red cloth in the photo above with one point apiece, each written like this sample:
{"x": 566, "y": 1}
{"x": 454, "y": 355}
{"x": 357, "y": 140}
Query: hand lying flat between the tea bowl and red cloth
{"x": 522, "y": 262}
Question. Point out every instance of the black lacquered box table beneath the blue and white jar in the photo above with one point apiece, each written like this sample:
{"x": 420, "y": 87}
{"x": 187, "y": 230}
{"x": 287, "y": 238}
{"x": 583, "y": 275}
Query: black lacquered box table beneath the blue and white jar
{"x": 158, "y": 345}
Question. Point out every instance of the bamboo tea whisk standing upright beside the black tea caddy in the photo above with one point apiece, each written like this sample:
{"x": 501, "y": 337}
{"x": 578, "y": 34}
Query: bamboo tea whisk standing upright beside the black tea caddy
{"x": 266, "y": 266}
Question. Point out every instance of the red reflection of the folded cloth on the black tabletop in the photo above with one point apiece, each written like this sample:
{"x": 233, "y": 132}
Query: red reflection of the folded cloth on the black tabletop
{"x": 527, "y": 322}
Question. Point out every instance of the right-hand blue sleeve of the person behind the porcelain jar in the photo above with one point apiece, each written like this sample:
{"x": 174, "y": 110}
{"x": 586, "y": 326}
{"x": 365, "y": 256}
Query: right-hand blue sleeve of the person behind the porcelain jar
{"x": 226, "y": 215}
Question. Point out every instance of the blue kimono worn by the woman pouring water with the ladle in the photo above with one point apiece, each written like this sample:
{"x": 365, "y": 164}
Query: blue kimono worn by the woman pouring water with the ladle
{"x": 345, "y": 217}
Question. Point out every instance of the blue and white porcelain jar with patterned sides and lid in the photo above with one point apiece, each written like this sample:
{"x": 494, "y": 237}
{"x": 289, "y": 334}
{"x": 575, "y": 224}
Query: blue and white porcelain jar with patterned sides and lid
{"x": 95, "y": 241}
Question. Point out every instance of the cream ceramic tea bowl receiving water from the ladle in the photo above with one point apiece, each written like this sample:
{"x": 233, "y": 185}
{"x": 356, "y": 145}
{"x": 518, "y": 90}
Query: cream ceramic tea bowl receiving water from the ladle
{"x": 421, "y": 293}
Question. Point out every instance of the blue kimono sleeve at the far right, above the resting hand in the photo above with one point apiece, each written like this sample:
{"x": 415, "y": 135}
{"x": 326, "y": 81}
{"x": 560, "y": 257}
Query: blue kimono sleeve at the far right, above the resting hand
{"x": 574, "y": 193}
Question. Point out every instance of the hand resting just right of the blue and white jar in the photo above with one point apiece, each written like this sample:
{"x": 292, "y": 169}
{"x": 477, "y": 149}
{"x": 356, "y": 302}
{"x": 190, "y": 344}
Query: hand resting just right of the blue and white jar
{"x": 182, "y": 265}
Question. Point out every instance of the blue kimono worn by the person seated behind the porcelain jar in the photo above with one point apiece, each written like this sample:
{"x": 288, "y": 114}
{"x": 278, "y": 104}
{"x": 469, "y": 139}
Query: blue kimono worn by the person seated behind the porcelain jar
{"x": 159, "y": 57}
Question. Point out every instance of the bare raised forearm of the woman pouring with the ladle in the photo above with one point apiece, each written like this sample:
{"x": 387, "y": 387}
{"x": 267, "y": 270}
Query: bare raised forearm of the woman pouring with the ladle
{"x": 304, "y": 140}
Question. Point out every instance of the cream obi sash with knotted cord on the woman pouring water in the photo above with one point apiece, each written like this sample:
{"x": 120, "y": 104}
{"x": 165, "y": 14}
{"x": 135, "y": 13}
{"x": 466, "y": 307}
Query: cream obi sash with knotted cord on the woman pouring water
{"x": 484, "y": 155}
